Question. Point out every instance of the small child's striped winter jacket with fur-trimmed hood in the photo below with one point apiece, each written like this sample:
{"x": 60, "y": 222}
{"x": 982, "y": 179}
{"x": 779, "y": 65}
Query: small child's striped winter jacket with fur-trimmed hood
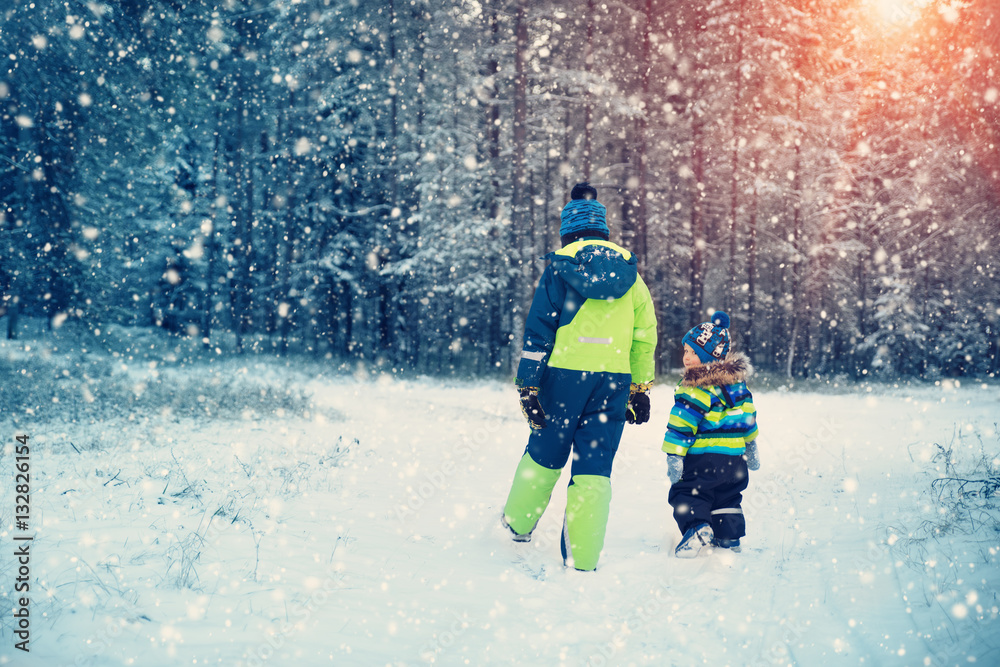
{"x": 713, "y": 410}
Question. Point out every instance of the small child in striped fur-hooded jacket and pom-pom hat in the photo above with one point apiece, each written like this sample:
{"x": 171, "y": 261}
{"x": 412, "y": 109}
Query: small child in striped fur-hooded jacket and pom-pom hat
{"x": 710, "y": 441}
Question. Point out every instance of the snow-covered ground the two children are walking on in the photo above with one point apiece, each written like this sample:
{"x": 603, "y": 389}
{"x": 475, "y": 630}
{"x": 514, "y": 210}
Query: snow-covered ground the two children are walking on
{"x": 243, "y": 513}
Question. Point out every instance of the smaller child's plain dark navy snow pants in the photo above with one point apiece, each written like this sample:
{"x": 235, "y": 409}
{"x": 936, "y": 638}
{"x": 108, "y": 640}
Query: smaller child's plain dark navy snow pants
{"x": 711, "y": 491}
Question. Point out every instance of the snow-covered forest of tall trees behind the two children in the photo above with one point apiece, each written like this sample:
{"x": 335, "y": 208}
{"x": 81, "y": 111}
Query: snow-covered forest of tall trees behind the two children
{"x": 374, "y": 182}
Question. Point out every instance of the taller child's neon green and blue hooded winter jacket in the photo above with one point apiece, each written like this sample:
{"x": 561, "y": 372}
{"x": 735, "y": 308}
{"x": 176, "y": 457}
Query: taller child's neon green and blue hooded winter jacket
{"x": 591, "y": 312}
